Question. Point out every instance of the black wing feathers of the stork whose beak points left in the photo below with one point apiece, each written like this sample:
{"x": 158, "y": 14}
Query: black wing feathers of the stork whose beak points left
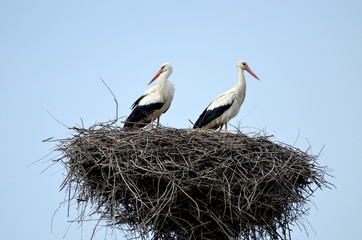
{"x": 140, "y": 114}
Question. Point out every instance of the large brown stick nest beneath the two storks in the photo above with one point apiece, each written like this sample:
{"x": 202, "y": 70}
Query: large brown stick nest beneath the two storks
{"x": 189, "y": 184}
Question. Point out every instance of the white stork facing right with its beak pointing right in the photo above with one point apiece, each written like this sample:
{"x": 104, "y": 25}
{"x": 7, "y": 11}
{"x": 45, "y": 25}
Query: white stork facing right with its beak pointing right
{"x": 227, "y": 105}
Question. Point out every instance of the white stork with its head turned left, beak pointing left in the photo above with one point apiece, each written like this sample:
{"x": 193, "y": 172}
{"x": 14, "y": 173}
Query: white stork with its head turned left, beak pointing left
{"x": 154, "y": 102}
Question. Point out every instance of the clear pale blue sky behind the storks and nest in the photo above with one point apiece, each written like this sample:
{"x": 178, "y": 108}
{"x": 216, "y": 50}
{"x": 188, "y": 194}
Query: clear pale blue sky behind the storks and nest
{"x": 307, "y": 54}
